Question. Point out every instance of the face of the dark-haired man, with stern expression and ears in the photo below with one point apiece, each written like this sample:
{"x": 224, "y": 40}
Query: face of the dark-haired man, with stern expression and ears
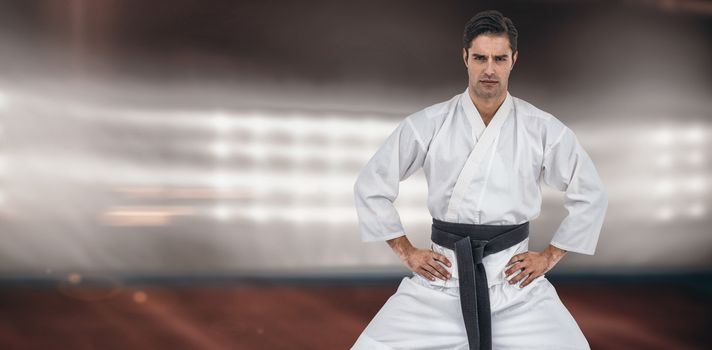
{"x": 489, "y": 62}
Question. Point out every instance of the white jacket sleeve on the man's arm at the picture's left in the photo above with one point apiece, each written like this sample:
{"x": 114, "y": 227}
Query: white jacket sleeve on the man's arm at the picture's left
{"x": 376, "y": 187}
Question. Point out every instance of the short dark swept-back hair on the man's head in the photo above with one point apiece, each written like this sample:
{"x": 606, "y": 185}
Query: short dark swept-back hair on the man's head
{"x": 490, "y": 22}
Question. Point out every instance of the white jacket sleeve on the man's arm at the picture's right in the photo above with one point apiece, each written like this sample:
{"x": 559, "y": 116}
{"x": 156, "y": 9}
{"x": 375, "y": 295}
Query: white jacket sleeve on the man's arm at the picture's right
{"x": 567, "y": 167}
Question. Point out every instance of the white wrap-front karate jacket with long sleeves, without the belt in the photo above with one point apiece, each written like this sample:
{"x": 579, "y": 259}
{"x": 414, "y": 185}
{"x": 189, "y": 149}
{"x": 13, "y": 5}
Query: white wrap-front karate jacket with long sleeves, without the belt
{"x": 479, "y": 174}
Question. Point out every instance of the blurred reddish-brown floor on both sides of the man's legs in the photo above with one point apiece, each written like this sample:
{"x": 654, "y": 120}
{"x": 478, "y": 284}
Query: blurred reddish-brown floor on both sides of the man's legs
{"x": 308, "y": 317}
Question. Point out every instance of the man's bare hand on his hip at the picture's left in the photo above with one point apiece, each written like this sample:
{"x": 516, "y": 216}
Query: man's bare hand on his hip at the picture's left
{"x": 424, "y": 262}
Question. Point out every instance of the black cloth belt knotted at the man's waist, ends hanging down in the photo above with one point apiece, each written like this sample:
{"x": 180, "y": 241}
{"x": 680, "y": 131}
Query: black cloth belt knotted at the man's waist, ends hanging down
{"x": 471, "y": 243}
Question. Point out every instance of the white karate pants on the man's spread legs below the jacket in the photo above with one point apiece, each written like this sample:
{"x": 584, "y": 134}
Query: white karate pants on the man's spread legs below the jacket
{"x": 422, "y": 316}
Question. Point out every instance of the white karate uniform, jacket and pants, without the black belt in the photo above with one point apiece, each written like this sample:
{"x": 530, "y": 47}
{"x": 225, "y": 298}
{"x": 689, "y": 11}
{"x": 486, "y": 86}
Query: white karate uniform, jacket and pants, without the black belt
{"x": 479, "y": 174}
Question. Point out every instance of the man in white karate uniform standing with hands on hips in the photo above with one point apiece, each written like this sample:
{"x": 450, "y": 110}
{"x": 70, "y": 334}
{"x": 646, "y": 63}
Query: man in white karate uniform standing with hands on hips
{"x": 483, "y": 153}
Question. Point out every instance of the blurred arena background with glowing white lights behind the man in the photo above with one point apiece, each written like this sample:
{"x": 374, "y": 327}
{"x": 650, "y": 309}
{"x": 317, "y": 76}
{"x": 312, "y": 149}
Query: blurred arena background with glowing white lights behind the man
{"x": 152, "y": 151}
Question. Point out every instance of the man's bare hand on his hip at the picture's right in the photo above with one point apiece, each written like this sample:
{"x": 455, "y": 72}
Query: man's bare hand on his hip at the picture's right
{"x": 533, "y": 264}
